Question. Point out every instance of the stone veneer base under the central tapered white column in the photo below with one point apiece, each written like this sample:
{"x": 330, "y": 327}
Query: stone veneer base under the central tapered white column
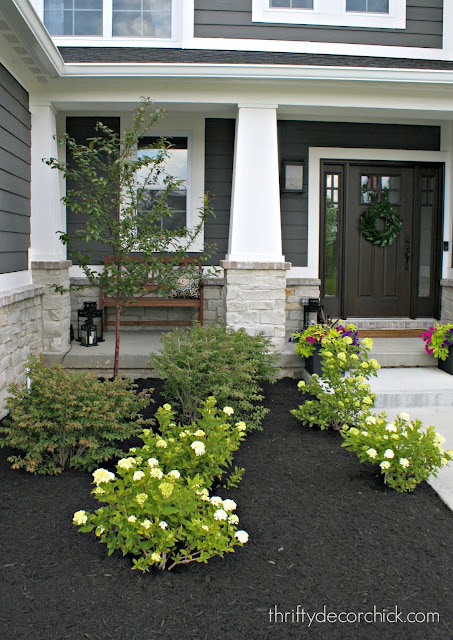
{"x": 255, "y": 298}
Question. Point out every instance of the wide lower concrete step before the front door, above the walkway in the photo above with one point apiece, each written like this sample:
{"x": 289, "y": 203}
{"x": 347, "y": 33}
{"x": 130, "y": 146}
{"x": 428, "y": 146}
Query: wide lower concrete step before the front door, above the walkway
{"x": 413, "y": 387}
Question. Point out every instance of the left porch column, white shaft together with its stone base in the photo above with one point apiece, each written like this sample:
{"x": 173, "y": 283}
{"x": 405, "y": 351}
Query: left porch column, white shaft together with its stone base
{"x": 47, "y": 255}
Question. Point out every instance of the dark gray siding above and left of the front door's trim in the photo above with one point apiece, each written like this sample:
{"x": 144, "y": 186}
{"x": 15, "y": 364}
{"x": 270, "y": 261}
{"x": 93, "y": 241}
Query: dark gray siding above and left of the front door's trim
{"x": 295, "y": 138}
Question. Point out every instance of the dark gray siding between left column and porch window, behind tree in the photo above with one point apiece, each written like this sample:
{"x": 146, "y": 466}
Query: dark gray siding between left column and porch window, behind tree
{"x": 82, "y": 128}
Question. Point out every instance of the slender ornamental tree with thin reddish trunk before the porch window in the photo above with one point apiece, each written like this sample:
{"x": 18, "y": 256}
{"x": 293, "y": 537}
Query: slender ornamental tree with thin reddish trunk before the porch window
{"x": 109, "y": 185}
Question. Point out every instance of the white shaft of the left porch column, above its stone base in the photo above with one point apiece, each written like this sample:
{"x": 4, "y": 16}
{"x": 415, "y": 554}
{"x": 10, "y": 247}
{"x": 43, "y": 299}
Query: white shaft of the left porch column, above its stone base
{"x": 47, "y": 212}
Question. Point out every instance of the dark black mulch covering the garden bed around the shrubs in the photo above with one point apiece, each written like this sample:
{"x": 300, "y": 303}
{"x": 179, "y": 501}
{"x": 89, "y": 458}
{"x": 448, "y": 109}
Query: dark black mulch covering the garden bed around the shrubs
{"x": 323, "y": 529}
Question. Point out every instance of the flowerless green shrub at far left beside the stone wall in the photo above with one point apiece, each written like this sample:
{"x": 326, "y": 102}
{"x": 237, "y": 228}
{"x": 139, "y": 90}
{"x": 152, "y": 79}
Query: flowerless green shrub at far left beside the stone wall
{"x": 69, "y": 419}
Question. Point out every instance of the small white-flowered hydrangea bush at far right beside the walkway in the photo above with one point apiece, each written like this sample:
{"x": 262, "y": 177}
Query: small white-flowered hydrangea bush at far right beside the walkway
{"x": 405, "y": 452}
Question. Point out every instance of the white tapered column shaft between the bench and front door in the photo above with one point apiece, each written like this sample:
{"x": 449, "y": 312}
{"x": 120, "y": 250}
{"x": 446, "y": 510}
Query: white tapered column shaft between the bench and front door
{"x": 255, "y": 226}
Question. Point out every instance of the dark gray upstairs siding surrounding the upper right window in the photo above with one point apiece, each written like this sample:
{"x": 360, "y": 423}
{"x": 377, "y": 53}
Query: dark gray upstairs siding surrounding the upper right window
{"x": 233, "y": 19}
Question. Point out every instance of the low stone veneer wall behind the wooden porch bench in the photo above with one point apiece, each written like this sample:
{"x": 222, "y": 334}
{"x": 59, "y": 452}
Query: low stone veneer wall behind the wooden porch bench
{"x": 214, "y": 306}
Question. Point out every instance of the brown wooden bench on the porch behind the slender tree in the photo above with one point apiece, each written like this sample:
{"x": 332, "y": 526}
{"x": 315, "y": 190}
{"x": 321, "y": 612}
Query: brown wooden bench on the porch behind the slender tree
{"x": 151, "y": 300}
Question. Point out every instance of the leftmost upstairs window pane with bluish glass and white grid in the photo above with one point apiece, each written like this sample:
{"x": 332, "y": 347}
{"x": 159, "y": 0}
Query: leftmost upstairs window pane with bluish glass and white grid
{"x": 73, "y": 17}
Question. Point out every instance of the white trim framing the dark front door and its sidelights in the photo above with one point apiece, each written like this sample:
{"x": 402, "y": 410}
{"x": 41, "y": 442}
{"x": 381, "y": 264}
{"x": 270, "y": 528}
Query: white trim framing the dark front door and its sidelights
{"x": 316, "y": 154}
